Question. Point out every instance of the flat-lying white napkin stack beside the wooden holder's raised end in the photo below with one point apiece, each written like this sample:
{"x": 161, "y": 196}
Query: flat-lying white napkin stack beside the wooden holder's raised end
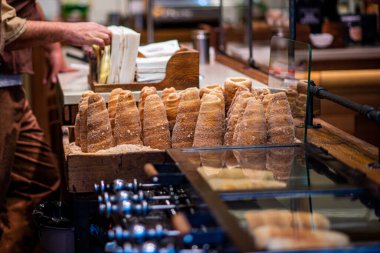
{"x": 152, "y": 68}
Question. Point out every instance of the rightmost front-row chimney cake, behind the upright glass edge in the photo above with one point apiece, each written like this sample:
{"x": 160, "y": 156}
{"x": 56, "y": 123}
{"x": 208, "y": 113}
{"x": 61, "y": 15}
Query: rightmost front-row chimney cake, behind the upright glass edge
{"x": 280, "y": 120}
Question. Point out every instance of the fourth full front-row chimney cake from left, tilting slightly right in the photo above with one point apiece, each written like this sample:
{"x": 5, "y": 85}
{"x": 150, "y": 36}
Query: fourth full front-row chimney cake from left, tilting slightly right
{"x": 186, "y": 120}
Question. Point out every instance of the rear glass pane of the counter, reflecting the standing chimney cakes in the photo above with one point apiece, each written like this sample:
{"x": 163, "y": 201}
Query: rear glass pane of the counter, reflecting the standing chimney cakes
{"x": 257, "y": 168}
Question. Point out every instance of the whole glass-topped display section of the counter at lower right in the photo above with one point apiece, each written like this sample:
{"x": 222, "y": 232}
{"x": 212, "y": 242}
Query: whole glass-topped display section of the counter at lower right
{"x": 291, "y": 197}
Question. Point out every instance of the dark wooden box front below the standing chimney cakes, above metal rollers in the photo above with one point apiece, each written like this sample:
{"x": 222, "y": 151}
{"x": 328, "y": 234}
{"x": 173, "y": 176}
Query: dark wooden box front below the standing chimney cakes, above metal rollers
{"x": 83, "y": 170}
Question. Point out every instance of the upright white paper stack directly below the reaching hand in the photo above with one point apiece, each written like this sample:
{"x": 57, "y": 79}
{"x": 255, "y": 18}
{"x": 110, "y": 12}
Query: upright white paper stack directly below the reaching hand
{"x": 124, "y": 50}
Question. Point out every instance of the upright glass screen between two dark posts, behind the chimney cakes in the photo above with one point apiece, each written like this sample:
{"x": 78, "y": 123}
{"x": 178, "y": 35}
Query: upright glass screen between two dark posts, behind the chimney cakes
{"x": 252, "y": 25}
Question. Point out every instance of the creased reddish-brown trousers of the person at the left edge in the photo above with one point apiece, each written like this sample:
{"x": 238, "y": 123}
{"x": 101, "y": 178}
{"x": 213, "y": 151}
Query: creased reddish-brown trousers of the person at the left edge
{"x": 28, "y": 171}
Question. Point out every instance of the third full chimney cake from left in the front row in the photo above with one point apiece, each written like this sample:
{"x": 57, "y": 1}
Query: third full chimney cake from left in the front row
{"x": 156, "y": 126}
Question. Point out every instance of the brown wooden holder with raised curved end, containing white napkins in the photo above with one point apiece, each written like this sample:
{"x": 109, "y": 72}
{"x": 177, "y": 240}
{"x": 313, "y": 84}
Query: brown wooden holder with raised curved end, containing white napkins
{"x": 182, "y": 71}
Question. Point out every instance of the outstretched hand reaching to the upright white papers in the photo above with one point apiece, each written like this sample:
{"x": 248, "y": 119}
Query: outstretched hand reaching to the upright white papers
{"x": 87, "y": 33}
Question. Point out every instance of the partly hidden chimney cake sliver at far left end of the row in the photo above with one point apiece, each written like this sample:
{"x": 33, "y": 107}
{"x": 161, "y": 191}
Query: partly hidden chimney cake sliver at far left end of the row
{"x": 83, "y": 108}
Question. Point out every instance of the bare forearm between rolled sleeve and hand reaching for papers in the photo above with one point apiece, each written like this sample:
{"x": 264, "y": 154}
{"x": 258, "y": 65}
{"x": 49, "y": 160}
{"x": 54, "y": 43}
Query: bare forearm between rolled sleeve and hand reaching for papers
{"x": 39, "y": 33}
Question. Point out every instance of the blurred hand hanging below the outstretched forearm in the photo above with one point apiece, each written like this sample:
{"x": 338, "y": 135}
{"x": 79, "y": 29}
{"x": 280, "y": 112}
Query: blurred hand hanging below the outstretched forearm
{"x": 55, "y": 63}
